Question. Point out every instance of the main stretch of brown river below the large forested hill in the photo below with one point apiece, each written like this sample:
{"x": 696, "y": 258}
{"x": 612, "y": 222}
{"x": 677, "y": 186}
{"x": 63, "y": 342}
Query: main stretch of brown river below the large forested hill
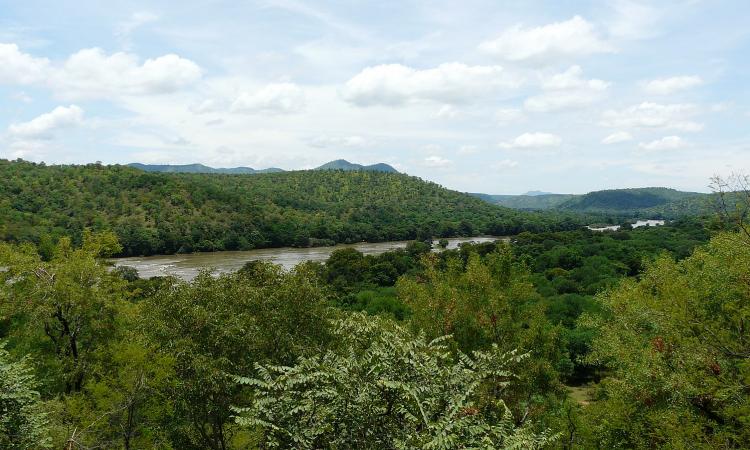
{"x": 187, "y": 266}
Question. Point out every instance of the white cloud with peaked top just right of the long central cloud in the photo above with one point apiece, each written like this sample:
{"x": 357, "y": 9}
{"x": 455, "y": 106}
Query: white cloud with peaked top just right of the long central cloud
{"x": 567, "y": 90}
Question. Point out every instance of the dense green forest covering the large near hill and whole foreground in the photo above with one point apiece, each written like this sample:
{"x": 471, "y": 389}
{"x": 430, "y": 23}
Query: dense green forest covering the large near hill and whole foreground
{"x": 557, "y": 337}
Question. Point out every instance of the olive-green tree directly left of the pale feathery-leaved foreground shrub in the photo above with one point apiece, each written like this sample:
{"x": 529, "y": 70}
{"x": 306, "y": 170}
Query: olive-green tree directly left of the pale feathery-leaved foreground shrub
{"x": 215, "y": 327}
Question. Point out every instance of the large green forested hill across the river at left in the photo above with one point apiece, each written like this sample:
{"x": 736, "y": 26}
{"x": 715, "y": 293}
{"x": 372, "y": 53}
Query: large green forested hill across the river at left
{"x": 162, "y": 213}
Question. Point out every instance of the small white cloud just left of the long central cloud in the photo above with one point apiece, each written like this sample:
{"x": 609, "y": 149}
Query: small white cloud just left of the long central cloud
{"x": 278, "y": 98}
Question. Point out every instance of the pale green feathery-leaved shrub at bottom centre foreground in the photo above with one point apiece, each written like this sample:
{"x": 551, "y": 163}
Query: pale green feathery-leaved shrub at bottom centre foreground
{"x": 384, "y": 388}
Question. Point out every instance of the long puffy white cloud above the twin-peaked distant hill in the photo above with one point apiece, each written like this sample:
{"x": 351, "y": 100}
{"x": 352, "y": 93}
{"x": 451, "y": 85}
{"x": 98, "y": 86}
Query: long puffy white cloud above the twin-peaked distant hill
{"x": 395, "y": 84}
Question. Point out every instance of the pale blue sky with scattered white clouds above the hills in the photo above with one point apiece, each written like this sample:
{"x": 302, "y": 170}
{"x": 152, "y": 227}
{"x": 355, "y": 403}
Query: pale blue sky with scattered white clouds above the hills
{"x": 489, "y": 96}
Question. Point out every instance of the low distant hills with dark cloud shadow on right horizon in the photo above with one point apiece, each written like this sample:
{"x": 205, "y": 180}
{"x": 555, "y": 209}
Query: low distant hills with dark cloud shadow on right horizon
{"x": 639, "y": 202}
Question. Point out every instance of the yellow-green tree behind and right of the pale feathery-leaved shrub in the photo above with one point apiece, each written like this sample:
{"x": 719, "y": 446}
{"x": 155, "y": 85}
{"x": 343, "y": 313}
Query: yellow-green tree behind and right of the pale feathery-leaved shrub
{"x": 487, "y": 302}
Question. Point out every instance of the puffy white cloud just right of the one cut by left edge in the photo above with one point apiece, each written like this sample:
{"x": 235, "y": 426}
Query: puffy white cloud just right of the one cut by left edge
{"x": 90, "y": 73}
